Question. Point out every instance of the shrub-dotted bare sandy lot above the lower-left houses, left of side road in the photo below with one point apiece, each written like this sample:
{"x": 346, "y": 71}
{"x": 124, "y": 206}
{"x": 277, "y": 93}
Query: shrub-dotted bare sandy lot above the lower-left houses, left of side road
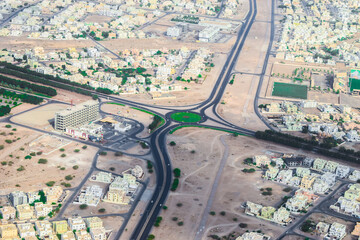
{"x": 35, "y": 175}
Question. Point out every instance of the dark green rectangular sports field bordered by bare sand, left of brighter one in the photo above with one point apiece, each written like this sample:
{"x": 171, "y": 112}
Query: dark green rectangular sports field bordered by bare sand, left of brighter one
{"x": 289, "y": 90}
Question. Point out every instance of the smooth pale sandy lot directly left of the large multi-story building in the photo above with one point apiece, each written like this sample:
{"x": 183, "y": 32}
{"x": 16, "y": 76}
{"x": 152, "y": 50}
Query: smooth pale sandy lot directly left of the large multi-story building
{"x": 40, "y": 117}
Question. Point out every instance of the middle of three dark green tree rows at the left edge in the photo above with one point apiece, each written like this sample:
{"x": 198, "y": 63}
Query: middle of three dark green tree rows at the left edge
{"x": 26, "y": 85}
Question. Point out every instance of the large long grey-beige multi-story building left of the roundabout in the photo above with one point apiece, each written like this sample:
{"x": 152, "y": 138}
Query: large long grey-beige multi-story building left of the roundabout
{"x": 77, "y": 115}
